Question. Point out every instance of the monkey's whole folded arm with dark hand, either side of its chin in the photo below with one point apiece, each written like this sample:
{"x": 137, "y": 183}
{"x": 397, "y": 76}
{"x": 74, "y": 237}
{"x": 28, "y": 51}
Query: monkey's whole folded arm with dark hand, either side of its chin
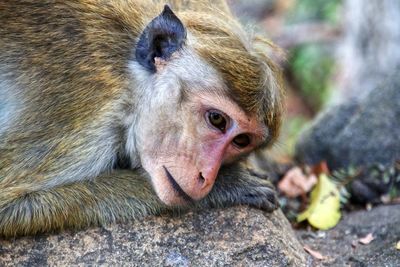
{"x": 120, "y": 196}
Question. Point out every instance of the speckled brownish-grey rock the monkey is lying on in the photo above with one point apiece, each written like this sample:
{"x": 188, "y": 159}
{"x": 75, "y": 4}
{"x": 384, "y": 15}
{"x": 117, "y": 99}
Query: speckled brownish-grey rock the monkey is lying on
{"x": 238, "y": 236}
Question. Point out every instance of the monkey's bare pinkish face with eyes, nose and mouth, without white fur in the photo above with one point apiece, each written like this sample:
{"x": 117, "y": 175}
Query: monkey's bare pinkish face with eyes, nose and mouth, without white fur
{"x": 183, "y": 150}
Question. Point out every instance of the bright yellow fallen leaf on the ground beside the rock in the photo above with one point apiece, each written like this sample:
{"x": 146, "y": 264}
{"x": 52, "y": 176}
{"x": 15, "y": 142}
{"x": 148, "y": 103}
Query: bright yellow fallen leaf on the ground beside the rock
{"x": 324, "y": 210}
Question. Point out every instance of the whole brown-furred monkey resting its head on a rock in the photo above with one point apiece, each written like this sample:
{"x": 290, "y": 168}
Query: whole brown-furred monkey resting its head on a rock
{"x": 114, "y": 110}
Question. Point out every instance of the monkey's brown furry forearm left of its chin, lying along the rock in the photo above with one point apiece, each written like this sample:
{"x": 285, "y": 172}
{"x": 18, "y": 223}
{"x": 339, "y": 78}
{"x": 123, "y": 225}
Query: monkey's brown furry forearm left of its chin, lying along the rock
{"x": 121, "y": 195}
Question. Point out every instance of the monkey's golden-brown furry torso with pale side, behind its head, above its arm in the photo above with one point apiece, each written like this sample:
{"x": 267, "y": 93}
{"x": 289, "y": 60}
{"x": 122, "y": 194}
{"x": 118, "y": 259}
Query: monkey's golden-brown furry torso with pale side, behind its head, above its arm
{"x": 63, "y": 69}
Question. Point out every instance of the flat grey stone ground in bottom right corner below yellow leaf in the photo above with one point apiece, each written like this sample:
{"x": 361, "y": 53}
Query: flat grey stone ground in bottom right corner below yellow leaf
{"x": 341, "y": 247}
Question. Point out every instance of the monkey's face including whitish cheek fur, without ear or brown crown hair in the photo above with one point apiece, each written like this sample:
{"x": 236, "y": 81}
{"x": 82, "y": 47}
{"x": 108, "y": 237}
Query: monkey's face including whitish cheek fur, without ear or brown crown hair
{"x": 188, "y": 127}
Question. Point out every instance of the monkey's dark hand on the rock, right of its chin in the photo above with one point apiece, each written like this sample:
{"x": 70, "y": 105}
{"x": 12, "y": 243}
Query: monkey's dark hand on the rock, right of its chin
{"x": 235, "y": 186}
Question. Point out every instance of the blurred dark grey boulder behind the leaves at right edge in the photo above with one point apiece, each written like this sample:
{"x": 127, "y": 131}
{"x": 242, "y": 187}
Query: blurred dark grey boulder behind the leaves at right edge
{"x": 358, "y": 132}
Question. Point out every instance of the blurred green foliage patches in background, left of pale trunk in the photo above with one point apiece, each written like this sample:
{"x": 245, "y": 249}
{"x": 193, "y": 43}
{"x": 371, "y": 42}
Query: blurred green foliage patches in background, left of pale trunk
{"x": 313, "y": 64}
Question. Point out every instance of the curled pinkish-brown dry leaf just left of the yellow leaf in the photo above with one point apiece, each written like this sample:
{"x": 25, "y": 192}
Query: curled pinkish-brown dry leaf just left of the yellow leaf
{"x": 296, "y": 183}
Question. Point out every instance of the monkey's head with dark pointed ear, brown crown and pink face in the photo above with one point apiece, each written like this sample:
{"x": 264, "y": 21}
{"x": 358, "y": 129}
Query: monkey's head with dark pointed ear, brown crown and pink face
{"x": 205, "y": 96}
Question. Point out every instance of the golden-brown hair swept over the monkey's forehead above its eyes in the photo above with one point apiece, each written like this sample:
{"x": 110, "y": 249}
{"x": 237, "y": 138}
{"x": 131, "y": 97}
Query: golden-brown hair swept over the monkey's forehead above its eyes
{"x": 250, "y": 77}
